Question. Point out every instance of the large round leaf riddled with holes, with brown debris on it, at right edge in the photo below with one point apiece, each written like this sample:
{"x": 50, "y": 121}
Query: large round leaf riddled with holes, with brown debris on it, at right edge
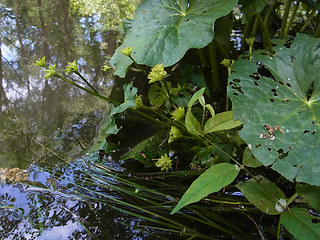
{"x": 277, "y": 99}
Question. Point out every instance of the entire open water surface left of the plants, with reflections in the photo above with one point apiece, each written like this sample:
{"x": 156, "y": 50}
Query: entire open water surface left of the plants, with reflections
{"x": 47, "y": 124}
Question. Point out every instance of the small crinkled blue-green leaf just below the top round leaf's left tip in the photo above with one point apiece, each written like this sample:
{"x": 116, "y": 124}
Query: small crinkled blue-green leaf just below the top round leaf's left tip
{"x": 129, "y": 99}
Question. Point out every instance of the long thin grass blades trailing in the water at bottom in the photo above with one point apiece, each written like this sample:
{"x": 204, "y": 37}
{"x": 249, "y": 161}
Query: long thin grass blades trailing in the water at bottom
{"x": 117, "y": 190}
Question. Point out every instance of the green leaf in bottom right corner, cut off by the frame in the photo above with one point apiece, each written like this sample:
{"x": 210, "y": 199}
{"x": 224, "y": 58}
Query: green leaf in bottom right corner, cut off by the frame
{"x": 301, "y": 224}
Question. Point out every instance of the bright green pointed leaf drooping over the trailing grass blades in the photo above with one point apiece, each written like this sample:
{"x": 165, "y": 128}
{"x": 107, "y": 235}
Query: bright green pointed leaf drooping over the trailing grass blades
{"x": 212, "y": 180}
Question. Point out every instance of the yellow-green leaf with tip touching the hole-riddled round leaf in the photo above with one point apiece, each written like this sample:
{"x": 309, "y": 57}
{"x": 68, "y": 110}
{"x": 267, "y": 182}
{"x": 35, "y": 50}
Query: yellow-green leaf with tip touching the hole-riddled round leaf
{"x": 221, "y": 121}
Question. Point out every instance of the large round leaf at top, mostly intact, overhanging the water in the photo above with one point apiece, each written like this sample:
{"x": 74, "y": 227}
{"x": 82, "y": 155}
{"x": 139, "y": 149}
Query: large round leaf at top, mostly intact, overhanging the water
{"x": 163, "y": 30}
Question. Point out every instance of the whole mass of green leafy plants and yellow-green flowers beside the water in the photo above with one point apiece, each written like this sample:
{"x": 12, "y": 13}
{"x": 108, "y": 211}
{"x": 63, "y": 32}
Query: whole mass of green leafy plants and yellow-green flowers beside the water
{"x": 243, "y": 109}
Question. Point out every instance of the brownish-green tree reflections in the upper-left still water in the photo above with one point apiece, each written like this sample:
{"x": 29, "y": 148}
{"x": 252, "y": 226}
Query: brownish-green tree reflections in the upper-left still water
{"x": 33, "y": 109}
